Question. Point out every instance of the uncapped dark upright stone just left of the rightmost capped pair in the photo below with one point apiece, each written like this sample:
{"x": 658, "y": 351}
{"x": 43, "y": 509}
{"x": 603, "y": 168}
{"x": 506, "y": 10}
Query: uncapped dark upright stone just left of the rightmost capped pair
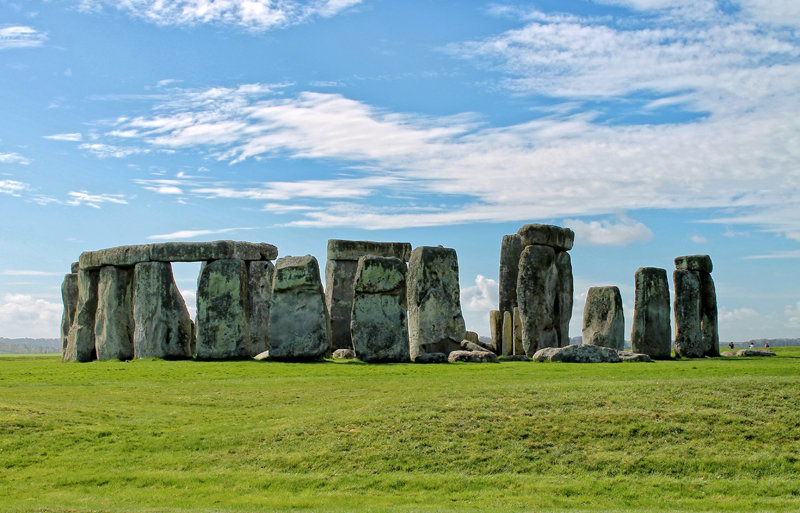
{"x": 651, "y": 332}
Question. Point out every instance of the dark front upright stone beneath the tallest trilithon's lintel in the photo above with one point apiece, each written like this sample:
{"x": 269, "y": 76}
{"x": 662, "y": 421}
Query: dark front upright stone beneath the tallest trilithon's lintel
{"x": 537, "y": 285}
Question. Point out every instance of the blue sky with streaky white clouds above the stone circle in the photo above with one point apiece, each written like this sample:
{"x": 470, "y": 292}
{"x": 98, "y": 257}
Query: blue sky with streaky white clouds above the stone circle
{"x": 652, "y": 128}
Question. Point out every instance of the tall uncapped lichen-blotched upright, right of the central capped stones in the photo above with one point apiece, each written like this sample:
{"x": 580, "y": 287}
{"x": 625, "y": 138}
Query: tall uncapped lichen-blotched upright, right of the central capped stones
{"x": 436, "y": 324}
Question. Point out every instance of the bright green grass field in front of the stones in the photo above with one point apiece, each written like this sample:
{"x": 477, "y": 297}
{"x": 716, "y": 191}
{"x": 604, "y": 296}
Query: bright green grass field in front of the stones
{"x": 151, "y": 435}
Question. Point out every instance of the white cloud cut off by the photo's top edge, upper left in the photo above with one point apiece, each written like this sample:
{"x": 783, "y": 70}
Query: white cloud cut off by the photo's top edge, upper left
{"x": 254, "y": 15}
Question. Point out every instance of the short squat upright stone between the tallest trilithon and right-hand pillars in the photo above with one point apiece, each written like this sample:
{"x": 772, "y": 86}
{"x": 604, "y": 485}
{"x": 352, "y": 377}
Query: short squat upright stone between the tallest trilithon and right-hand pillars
{"x": 603, "y": 321}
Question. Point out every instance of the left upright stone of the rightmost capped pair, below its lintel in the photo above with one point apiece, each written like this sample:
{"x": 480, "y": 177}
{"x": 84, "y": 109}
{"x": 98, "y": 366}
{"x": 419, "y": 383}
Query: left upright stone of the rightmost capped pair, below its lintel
{"x": 688, "y": 337}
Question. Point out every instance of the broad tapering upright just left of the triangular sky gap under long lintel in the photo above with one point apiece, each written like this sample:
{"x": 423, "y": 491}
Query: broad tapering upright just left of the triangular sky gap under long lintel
{"x": 162, "y": 326}
